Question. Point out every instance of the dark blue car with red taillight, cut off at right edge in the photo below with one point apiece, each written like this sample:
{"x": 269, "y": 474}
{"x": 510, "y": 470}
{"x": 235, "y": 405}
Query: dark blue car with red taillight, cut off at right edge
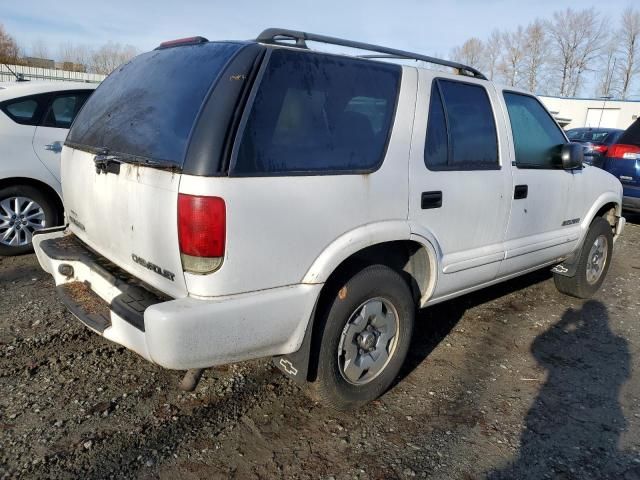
{"x": 623, "y": 161}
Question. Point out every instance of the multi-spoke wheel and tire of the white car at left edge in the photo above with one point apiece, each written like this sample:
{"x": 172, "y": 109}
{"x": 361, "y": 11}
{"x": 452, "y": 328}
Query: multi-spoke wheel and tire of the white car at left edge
{"x": 41, "y": 213}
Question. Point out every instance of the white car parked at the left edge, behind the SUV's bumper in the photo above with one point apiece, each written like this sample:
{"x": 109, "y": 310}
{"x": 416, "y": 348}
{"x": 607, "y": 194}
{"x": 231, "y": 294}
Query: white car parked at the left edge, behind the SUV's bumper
{"x": 34, "y": 122}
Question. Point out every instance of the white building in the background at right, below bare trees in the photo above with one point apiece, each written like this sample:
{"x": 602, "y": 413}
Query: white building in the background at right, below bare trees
{"x": 592, "y": 112}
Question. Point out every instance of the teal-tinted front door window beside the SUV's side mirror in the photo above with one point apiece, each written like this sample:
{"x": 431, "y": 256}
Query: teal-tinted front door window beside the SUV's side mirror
{"x": 536, "y": 137}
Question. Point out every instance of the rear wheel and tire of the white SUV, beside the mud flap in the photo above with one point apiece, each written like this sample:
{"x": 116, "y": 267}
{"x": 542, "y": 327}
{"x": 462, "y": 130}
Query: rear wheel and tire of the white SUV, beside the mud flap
{"x": 374, "y": 295}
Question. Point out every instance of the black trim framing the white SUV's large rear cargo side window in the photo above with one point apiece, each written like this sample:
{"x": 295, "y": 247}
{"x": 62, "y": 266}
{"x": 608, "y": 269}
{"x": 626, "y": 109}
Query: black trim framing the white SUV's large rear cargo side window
{"x": 305, "y": 173}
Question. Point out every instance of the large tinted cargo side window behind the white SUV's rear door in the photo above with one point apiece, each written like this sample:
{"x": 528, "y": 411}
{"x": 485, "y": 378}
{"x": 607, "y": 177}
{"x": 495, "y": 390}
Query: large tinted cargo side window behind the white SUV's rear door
{"x": 316, "y": 113}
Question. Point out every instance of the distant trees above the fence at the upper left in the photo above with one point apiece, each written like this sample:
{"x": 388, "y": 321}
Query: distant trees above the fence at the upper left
{"x": 102, "y": 60}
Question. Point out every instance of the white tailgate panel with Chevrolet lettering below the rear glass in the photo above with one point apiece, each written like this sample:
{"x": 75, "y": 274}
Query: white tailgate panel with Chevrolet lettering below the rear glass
{"x": 129, "y": 218}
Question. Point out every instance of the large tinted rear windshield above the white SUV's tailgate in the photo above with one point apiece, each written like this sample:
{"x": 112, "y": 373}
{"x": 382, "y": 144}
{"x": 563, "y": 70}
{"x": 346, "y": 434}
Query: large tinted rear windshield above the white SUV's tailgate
{"x": 147, "y": 107}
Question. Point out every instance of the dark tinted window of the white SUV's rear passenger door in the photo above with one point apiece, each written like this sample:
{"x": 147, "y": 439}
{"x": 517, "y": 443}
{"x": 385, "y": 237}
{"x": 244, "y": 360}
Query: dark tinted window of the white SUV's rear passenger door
{"x": 461, "y": 130}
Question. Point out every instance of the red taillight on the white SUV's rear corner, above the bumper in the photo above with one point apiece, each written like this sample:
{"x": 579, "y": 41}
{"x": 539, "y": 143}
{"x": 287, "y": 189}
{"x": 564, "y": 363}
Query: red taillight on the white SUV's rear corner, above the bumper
{"x": 202, "y": 229}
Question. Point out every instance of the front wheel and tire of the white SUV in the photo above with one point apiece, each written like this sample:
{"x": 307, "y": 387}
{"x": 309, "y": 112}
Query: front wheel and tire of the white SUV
{"x": 587, "y": 280}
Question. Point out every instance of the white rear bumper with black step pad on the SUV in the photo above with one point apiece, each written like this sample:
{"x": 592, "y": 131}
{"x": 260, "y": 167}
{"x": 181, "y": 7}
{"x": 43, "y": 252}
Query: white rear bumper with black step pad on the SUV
{"x": 174, "y": 333}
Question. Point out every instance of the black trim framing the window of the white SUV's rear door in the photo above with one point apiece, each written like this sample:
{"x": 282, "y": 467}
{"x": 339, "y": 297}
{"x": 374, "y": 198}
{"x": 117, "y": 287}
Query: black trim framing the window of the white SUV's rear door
{"x": 464, "y": 167}
